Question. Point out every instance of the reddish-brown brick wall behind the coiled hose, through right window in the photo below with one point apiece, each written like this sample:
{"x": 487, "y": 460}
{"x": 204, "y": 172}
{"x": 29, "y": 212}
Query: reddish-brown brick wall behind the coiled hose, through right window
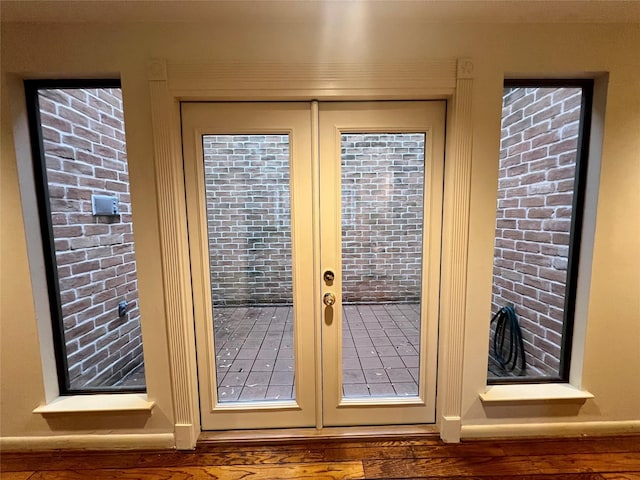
{"x": 535, "y": 196}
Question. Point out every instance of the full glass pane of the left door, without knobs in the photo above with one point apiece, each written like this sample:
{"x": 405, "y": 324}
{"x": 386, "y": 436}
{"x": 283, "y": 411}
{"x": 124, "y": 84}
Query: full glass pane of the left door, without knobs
{"x": 249, "y": 231}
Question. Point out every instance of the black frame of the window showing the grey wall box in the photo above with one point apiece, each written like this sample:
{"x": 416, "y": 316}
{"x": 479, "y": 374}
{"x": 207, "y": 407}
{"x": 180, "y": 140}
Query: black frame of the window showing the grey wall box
{"x": 32, "y": 88}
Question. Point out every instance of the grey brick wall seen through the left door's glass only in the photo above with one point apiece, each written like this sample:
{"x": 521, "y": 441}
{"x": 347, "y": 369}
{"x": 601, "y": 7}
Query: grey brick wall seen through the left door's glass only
{"x": 249, "y": 218}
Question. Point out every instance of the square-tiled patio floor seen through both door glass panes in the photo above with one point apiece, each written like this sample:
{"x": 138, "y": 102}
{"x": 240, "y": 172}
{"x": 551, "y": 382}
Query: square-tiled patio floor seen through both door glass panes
{"x": 254, "y": 351}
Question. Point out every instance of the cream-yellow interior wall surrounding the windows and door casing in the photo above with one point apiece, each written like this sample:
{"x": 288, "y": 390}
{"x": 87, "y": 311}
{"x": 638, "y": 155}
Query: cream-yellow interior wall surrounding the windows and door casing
{"x": 611, "y": 353}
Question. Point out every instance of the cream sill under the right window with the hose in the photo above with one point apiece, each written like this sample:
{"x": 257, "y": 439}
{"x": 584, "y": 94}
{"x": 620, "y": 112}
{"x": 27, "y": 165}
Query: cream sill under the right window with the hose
{"x": 533, "y": 393}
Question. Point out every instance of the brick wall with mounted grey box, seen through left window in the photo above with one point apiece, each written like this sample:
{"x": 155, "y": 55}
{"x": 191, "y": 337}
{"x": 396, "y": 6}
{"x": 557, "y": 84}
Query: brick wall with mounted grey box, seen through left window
{"x": 84, "y": 142}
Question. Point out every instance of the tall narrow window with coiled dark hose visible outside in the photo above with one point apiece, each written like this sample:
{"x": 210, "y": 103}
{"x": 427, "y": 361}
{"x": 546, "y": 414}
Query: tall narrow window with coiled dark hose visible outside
{"x": 542, "y": 176}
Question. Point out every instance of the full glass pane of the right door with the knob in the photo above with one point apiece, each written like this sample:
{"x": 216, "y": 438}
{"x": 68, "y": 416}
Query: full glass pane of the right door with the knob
{"x": 382, "y": 218}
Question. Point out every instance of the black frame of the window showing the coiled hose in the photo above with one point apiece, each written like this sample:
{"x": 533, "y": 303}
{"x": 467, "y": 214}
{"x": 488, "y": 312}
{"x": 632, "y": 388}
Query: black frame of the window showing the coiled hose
{"x": 577, "y": 221}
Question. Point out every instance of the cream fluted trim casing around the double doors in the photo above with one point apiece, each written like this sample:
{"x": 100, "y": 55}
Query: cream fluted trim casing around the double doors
{"x": 170, "y": 84}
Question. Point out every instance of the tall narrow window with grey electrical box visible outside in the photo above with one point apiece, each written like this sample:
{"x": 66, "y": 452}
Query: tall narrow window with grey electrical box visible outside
{"x": 82, "y": 185}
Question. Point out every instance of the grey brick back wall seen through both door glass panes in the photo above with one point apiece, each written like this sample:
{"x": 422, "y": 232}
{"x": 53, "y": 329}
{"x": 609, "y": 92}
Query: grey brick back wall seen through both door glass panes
{"x": 248, "y": 214}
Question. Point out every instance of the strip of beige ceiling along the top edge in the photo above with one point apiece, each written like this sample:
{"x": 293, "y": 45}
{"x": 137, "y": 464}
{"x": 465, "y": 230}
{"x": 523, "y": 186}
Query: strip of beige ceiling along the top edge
{"x": 310, "y": 11}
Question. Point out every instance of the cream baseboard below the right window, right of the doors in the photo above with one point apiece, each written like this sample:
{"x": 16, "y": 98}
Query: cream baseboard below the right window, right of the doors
{"x": 550, "y": 429}
